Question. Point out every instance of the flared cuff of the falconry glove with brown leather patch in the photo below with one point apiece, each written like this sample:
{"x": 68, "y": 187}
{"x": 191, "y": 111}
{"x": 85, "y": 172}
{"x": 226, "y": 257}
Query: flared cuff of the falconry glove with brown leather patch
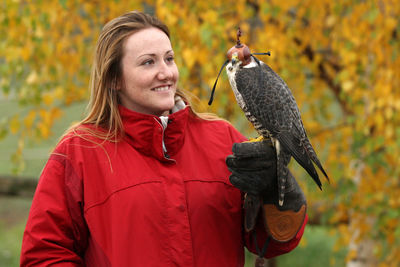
{"x": 283, "y": 222}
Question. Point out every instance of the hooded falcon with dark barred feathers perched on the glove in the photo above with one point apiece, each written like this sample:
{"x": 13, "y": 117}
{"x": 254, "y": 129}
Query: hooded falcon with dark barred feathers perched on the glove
{"x": 269, "y": 105}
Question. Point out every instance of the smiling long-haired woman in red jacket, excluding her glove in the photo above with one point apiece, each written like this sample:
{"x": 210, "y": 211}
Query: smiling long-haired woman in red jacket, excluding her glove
{"x": 142, "y": 180}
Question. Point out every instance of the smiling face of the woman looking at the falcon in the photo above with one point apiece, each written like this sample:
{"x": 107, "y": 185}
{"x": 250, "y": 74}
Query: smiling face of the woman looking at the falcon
{"x": 149, "y": 73}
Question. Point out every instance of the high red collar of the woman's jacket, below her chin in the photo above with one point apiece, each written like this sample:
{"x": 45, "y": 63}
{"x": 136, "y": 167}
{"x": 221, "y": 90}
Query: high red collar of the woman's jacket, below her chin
{"x": 147, "y": 134}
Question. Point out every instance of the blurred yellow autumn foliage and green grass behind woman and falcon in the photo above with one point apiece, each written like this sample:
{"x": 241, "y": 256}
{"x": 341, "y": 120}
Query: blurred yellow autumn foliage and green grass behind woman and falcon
{"x": 340, "y": 58}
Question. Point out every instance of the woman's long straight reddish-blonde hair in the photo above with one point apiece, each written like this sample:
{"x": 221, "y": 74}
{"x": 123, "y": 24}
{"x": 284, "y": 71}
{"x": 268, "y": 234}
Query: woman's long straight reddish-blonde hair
{"x": 102, "y": 110}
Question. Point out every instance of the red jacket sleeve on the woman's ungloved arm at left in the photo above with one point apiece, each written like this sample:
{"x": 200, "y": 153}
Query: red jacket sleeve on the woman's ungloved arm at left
{"x": 56, "y": 232}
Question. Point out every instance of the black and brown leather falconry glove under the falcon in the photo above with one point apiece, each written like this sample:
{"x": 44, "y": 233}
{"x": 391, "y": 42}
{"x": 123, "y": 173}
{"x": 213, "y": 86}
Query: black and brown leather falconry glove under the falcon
{"x": 253, "y": 167}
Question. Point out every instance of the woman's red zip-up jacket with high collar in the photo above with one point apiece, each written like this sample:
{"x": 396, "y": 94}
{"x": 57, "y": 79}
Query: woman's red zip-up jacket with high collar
{"x": 127, "y": 204}
